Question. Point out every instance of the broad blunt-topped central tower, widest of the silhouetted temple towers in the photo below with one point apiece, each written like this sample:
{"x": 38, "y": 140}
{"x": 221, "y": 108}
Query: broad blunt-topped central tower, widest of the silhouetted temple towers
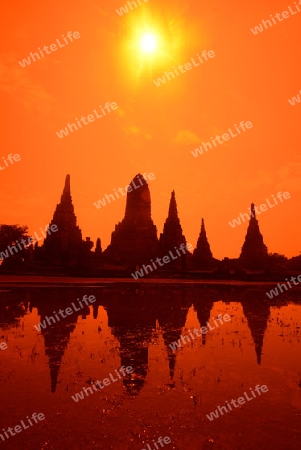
{"x": 134, "y": 241}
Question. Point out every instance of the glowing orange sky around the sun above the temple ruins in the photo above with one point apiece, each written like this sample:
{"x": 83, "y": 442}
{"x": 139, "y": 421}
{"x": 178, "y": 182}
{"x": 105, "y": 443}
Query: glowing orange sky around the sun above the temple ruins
{"x": 154, "y": 128}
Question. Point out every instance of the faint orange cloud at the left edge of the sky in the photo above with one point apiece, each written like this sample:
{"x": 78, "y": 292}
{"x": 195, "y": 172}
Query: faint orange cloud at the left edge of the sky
{"x": 16, "y": 82}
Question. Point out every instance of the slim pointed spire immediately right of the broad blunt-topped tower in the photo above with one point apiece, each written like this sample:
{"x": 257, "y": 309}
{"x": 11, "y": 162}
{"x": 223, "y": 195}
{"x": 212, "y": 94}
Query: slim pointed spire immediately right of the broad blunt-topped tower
{"x": 172, "y": 235}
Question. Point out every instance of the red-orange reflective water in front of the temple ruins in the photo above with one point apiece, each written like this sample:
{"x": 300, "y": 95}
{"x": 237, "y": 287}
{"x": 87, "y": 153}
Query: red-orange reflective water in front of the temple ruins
{"x": 170, "y": 393}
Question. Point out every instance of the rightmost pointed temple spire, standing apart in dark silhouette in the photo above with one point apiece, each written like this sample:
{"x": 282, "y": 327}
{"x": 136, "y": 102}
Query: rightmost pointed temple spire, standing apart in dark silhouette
{"x": 254, "y": 252}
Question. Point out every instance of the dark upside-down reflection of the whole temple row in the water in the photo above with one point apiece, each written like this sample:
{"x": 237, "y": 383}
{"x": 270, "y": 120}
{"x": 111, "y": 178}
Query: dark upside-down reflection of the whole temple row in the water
{"x": 133, "y": 316}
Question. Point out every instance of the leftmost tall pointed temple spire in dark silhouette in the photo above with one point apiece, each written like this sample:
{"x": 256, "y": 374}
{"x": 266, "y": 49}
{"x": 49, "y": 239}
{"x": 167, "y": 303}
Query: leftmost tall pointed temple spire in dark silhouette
{"x": 64, "y": 246}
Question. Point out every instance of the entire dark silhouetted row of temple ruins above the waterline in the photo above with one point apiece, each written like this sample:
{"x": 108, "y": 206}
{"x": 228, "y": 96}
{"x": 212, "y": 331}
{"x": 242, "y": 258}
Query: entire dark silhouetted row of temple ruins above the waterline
{"x": 134, "y": 242}
